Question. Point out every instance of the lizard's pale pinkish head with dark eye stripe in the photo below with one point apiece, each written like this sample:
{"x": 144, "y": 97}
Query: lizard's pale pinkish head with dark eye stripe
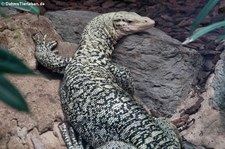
{"x": 126, "y": 23}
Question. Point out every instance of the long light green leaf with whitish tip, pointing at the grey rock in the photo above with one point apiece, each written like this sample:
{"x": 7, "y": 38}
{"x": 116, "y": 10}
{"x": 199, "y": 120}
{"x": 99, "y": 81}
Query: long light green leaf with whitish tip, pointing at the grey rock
{"x": 203, "y": 31}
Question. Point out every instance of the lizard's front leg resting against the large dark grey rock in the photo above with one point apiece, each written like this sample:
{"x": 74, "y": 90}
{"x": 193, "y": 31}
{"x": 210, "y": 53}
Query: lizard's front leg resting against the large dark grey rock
{"x": 123, "y": 77}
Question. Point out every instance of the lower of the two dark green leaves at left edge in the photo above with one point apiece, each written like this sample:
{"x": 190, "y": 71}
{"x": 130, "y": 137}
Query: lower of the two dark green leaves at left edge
{"x": 11, "y": 96}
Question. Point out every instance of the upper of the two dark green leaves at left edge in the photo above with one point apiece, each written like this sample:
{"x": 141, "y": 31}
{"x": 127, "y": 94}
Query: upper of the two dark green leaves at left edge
{"x": 11, "y": 64}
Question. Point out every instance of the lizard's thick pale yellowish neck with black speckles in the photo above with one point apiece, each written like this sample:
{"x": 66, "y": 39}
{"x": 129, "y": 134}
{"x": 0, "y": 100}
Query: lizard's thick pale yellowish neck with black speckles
{"x": 97, "y": 43}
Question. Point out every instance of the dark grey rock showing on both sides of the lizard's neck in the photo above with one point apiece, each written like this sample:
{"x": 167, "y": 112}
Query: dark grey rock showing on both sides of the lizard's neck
{"x": 163, "y": 70}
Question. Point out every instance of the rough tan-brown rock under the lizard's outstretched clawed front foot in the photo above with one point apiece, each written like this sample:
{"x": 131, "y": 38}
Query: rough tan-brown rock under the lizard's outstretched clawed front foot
{"x": 21, "y": 130}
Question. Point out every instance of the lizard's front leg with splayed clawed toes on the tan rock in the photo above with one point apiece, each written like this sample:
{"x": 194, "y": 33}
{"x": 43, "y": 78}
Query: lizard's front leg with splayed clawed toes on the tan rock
{"x": 47, "y": 57}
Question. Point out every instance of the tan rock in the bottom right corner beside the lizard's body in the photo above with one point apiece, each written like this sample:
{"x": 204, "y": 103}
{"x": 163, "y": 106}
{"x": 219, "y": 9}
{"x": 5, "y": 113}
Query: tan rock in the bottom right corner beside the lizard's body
{"x": 208, "y": 129}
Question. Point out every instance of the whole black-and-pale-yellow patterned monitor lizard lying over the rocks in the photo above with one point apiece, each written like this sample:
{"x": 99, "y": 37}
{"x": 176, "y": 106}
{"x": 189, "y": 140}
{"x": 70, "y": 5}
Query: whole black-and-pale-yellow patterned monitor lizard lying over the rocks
{"x": 97, "y": 96}
